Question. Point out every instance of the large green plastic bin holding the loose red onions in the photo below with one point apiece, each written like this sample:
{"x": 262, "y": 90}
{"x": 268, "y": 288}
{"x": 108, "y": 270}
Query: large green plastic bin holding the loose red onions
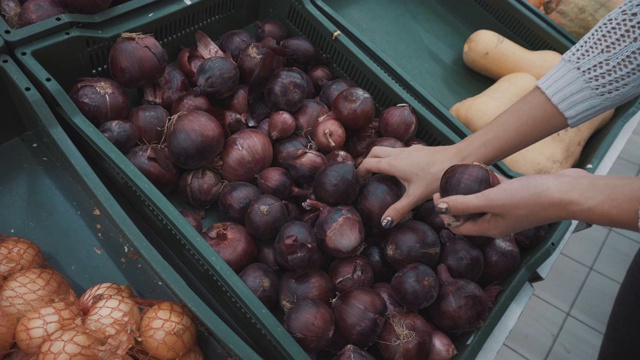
{"x": 57, "y": 62}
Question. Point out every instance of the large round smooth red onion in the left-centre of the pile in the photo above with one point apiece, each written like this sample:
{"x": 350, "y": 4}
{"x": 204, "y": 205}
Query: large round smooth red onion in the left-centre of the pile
{"x": 194, "y": 139}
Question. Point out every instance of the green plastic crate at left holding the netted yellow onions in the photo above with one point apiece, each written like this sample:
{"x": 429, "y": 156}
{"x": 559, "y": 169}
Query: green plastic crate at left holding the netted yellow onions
{"x": 51, "y": 196}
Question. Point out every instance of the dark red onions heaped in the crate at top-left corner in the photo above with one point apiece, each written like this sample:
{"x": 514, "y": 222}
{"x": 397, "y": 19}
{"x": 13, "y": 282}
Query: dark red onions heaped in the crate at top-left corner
{"x": 21, "y": 13}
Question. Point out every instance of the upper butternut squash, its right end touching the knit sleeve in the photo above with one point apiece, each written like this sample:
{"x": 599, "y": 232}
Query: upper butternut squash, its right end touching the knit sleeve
{"x": 495, "y": 56}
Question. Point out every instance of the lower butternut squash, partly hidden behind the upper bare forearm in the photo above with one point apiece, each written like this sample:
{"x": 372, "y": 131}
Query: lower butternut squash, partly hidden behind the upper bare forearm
{"x": 552, "y": 154}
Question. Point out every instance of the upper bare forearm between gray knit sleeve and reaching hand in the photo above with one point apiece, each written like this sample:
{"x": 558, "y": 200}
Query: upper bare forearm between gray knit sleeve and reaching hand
{"x": 529, "y": 120}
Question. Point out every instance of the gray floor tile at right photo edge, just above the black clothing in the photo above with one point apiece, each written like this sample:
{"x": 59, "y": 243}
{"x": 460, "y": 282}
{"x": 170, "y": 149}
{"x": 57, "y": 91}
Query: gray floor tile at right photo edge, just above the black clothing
{"x": 616, "y": 255}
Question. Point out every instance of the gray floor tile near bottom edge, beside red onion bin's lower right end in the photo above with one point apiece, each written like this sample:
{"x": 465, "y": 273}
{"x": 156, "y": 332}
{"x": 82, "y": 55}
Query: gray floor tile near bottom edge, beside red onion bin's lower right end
{"x": 536, "y": 329}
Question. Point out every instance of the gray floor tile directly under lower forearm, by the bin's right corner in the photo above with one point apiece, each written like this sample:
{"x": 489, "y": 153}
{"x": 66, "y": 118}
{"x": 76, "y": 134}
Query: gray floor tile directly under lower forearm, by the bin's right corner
{"x": 585, "y": 245}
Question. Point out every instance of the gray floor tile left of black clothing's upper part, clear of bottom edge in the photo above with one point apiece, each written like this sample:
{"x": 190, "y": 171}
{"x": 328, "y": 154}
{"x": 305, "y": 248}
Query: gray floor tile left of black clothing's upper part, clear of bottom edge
{"x": 594, "y": 302}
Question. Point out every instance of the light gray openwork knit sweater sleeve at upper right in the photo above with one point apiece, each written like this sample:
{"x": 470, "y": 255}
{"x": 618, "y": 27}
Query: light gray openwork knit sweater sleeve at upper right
{"x": 601, "y": 71}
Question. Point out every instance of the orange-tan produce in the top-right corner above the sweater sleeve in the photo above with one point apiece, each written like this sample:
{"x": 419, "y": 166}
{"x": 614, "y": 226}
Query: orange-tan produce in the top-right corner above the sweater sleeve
{"x": 577, "y": 17}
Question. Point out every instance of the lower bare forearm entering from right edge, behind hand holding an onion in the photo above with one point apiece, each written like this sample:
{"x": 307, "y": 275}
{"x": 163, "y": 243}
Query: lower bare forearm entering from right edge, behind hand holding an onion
{"x": 598, "y": 199}
